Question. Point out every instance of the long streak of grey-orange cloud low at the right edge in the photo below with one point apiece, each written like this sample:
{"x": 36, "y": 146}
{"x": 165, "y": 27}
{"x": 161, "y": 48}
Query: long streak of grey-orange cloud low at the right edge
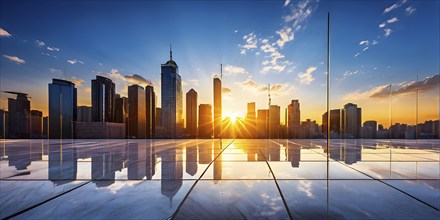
{"x": 383, "y": 91}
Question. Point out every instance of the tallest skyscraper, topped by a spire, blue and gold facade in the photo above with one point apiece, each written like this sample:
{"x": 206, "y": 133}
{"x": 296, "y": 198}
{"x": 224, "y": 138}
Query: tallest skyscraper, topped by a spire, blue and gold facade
{"x": 171, "y": 89}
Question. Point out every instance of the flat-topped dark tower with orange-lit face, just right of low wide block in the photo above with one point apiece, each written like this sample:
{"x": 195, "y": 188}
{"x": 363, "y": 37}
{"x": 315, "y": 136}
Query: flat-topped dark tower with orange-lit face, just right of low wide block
{"x": 136, "y": 112}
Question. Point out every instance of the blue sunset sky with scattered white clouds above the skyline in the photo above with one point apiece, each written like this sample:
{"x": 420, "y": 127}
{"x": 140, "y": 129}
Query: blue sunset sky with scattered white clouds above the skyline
{"x": 277, "y": 42}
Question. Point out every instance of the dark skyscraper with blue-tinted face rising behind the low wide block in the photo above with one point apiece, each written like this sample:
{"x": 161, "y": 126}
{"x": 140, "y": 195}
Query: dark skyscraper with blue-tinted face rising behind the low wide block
{"x": 103, "y": 99}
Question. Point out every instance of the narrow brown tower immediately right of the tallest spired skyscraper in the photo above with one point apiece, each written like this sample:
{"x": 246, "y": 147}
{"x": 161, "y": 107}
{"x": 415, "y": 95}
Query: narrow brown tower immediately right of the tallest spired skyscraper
{"x": 191, "y": 113}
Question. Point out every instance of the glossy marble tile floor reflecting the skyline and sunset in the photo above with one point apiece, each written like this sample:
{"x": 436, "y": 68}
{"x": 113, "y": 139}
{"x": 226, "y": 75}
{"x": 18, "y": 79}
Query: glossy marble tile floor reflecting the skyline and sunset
{"x": 219, "y": 179}
